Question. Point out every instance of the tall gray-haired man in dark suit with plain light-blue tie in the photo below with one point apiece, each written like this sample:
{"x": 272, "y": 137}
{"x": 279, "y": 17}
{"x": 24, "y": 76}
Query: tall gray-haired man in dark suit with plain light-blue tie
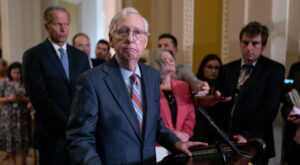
{"x": 50, "y": 72}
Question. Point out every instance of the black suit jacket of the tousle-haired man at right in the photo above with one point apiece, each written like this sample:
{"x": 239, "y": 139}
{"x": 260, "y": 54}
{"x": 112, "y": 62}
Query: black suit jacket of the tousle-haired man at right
{"x": 258, "y": 101}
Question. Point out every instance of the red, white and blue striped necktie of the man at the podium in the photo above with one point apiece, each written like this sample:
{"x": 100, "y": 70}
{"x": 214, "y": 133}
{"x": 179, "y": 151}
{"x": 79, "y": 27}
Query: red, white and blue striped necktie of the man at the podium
{"x": 136, "y": 99}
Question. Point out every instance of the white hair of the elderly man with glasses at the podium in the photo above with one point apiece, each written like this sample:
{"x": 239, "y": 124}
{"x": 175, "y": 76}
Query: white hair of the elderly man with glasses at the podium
{"x": 123, "y": 13}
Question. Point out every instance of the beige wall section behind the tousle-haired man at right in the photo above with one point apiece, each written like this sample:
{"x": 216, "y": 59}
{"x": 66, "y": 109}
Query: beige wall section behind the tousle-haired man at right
{"x": 281, "y": 17}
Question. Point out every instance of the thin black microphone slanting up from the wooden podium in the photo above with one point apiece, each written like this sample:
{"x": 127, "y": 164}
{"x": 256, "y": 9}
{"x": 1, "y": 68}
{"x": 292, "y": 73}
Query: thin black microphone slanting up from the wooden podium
{"x": 221, "y": 133}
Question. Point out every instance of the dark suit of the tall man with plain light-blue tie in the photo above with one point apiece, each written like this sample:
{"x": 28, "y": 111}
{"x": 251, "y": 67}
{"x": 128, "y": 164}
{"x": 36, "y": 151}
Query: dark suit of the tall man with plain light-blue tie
{"x": 50, "y": 91}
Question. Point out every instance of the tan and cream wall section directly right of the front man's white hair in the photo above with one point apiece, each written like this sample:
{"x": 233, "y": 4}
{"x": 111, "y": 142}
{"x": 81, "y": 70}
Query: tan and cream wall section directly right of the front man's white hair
{"x": 164, "y": 16}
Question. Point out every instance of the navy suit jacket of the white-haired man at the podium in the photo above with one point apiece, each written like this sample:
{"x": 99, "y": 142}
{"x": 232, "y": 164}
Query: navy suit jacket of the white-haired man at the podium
{"x": 103, "y": 126}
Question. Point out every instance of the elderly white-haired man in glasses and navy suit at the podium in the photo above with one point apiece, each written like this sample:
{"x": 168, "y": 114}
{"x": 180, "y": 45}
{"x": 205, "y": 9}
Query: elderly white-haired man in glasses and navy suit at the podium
{"x": 115, "y": 117}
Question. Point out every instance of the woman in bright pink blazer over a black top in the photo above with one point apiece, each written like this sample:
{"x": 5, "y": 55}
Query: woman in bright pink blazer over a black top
{"x": 177, "y": 108}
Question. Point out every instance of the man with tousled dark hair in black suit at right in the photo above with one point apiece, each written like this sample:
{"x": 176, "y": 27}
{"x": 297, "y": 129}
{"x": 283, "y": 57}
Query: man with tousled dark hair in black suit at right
{"x": 255, "y": 84}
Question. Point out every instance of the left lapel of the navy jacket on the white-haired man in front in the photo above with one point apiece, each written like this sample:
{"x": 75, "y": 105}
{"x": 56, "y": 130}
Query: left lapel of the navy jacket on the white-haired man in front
{"x": 116, "y": 85}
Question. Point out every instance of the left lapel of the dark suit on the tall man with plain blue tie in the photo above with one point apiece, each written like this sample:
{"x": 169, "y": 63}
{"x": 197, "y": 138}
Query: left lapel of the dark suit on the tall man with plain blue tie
{"x": 55, "y": 60}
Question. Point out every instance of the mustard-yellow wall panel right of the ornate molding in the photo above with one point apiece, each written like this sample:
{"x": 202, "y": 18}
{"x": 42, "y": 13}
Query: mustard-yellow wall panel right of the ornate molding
{"x": 207, "y": 30}
